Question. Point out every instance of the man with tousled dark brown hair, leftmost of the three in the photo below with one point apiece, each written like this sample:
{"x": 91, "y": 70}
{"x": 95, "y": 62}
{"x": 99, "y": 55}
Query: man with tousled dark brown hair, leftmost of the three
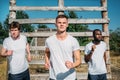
{"x": 14, "y": 48}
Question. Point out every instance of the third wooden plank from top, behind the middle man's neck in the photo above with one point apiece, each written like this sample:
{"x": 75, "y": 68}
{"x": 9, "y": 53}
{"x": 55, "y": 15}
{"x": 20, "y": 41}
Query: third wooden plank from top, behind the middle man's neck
{"x": 47, "y": 34}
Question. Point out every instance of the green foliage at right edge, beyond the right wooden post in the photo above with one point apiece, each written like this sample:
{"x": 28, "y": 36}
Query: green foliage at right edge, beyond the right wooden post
{"x": 115, "y": 41}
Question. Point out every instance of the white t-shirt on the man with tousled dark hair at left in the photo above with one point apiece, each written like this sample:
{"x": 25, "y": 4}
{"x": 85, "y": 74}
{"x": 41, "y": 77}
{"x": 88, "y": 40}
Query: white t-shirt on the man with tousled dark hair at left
{"x": 17, "y": 61}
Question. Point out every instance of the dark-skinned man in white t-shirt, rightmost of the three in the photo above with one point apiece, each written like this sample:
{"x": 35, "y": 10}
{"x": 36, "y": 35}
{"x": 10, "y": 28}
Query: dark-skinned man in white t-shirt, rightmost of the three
{"x": 95, "y": 56}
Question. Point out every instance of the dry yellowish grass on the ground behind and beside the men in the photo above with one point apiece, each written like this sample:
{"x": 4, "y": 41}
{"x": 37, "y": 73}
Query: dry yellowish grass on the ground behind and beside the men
{"x": 36, "y": 69}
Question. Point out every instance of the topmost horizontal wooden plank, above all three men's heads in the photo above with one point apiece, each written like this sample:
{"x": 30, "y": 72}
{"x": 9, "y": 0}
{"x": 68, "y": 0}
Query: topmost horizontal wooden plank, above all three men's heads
{"x": 55, "y": 8}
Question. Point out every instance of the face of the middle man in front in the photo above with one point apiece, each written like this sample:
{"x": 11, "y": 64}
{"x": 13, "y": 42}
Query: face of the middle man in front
{"x": 62, "y": 24}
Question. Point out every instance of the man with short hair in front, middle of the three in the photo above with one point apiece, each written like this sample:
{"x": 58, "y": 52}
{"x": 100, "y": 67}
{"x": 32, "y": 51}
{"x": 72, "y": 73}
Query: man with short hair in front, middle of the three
{"x": 62, "y": 53}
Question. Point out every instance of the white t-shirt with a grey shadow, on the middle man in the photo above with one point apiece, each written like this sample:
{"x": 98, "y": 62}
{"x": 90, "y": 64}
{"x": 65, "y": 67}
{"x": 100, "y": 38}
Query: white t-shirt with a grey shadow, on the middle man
{"x": 61, "y": 51}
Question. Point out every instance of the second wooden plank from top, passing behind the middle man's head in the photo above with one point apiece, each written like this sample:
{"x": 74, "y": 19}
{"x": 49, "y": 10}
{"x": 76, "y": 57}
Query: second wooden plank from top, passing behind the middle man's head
{"x": 52, "y": 21}
